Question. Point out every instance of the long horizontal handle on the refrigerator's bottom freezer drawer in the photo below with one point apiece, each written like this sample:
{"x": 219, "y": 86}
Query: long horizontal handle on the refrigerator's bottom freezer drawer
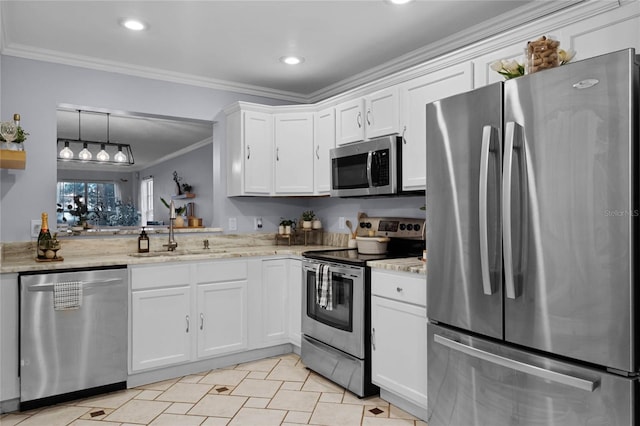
{"x": 565, "y": 379}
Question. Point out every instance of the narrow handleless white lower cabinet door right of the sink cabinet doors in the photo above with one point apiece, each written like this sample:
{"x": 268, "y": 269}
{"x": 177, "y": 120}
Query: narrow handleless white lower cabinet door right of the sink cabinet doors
{"x": 275, "y": 299}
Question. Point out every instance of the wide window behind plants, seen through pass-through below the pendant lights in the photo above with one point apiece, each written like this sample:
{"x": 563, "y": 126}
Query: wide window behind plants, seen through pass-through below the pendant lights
{"x": 96, "y": 203}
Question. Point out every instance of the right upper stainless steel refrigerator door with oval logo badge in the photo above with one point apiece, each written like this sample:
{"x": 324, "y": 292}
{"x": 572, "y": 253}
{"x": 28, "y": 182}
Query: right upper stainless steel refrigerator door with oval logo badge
{"x": 570, "y": 213}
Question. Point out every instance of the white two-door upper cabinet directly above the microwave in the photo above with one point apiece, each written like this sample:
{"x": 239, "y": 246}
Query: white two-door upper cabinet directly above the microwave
{"x": 369, "y": 117}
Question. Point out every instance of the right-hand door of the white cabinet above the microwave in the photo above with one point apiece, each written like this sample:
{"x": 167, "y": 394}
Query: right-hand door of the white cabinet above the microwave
{"x": 382, "y": 113}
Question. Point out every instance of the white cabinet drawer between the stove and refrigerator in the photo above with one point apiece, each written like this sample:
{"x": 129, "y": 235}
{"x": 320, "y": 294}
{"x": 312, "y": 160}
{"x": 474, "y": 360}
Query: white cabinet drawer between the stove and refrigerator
{"x": 404, "y": 287}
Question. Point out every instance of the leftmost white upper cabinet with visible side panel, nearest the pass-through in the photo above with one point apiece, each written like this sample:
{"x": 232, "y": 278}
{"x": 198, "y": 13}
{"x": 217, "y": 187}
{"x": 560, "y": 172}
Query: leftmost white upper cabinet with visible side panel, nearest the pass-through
{"x": 249, "y": 153}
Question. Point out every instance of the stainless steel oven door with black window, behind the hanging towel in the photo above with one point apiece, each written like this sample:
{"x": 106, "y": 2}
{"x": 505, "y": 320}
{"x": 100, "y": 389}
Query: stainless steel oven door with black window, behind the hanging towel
{"x": 341, "y": 326}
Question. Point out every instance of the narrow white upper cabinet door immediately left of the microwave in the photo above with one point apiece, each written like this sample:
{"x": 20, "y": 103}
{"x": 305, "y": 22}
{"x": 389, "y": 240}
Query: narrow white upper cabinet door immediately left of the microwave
{"x": 325, "y": 140}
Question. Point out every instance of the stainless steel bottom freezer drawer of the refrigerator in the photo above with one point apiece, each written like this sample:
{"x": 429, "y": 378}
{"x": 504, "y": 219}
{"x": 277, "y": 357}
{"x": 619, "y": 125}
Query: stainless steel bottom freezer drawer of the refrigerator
{"x": 474, "y": 382}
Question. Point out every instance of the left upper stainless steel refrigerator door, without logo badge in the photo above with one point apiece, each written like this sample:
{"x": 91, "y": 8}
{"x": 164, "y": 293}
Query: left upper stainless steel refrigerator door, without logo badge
{"x": 463, "y": 210}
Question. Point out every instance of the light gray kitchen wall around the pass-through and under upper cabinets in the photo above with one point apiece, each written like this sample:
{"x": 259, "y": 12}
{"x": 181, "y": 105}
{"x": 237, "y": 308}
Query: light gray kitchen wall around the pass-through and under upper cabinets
{"x": 35, "y": 88}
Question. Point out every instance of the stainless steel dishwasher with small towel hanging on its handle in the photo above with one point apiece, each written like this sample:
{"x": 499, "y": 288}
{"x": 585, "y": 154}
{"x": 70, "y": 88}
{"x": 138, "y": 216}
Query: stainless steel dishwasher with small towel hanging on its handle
{"x": 73, "y": 334}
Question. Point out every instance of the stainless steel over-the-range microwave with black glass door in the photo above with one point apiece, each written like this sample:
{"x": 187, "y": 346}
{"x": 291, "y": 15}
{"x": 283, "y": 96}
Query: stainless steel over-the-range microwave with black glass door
{"x": 368, "y": 168}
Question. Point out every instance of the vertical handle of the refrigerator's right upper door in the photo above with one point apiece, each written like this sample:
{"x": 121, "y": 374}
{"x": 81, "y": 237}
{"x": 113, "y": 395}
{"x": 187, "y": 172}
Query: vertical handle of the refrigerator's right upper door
{"x": 512, "y": 131}
